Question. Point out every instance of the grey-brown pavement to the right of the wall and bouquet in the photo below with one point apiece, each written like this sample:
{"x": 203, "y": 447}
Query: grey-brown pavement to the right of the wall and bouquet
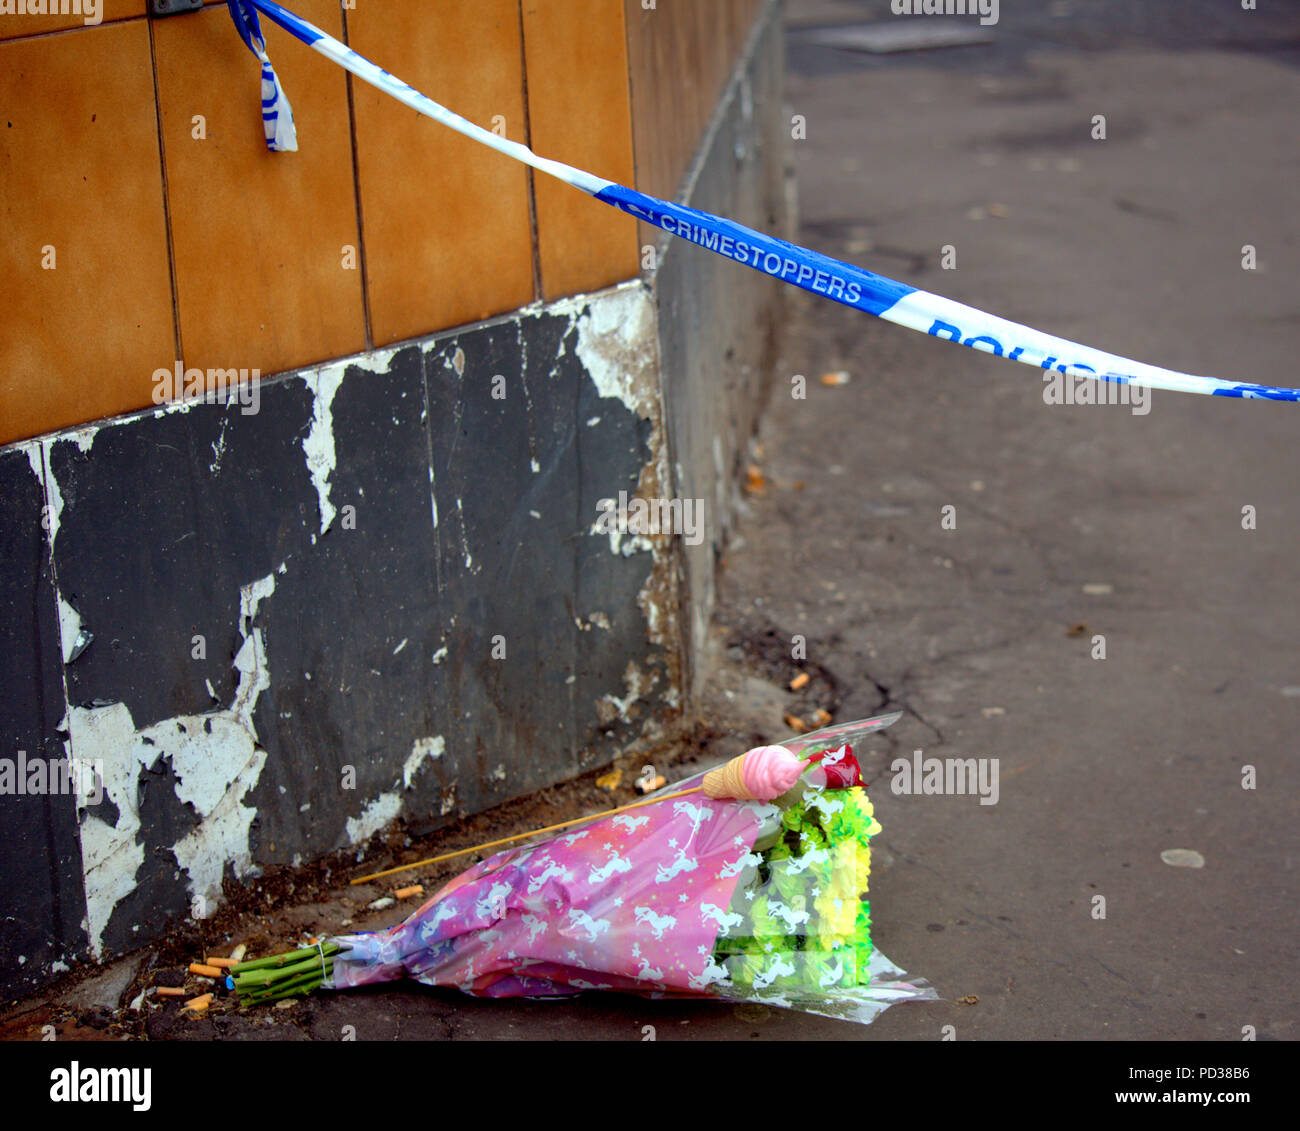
{"x": 1071, "y": 523}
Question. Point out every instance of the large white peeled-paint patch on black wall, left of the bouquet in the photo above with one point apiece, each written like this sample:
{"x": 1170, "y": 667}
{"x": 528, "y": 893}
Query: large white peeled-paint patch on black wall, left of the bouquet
{"x": 216, "y": 760}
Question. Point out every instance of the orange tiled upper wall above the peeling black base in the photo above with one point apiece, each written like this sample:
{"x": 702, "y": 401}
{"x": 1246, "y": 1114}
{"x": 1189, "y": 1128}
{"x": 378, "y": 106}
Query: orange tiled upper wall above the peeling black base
{"x": 135, "y": 150}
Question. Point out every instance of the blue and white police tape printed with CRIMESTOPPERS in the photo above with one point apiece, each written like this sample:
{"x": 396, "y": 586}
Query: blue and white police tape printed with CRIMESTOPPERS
{"x": 843, "y": 283}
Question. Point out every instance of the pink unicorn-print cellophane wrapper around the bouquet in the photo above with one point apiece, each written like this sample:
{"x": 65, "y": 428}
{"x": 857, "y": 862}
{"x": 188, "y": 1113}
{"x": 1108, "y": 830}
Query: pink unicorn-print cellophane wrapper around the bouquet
{"x": 629, "y": 903}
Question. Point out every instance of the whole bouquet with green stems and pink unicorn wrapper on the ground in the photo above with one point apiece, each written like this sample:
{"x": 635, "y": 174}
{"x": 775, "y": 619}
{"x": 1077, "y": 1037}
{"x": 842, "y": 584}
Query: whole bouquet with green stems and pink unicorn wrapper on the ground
{"x": 747, "y": 883}
